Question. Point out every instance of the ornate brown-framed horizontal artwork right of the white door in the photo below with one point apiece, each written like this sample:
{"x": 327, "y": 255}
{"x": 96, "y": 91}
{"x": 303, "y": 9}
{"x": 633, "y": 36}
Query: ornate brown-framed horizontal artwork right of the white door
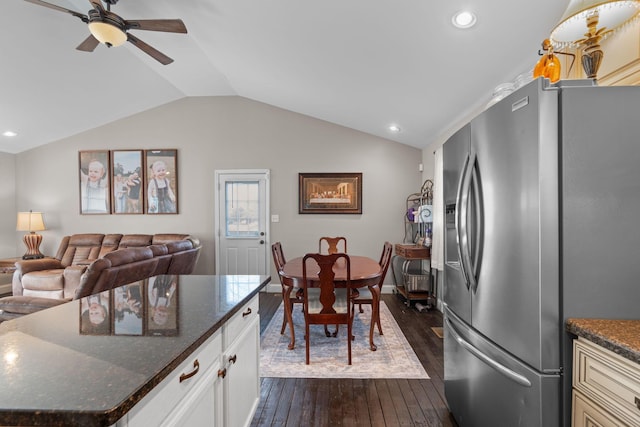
{"x": 330, "y": 193}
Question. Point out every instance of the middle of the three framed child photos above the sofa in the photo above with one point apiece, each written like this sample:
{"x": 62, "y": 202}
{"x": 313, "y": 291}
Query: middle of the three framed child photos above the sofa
{"x": 127, "y": 182}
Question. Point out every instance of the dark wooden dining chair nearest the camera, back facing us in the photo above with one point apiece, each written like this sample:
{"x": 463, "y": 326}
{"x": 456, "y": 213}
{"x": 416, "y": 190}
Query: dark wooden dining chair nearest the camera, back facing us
{"x": 330, "y": 306}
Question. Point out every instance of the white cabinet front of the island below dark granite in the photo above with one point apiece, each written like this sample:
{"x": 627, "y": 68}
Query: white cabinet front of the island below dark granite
{"x": 218, "y": 385}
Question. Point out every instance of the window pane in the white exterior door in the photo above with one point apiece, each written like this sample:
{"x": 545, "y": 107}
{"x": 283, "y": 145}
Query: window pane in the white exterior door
{"x": 242, "y": 208}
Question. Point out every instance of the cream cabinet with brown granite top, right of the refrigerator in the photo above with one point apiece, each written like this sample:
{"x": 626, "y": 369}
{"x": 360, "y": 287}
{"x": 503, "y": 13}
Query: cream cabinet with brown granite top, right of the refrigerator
{"x": 606, "y": 372}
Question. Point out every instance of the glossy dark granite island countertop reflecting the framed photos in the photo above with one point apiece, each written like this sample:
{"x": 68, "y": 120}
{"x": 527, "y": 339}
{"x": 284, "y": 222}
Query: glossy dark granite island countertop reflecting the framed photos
{"x": 59, "y": 368}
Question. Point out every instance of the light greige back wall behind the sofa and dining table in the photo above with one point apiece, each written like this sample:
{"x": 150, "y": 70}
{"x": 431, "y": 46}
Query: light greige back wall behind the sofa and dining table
{"x": 213, "y": 133}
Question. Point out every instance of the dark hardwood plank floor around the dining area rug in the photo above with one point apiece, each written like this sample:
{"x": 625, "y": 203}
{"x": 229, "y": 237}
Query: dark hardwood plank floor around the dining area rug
{"x": 362, "y": 402}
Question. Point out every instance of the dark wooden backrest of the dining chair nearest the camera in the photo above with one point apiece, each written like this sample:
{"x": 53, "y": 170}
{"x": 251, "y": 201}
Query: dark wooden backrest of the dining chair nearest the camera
{"x": 326, "y": 277}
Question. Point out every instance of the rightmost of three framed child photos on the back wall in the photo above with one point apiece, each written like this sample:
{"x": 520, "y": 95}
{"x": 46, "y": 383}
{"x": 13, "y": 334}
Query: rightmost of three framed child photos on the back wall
{"x": 161, "y": 168}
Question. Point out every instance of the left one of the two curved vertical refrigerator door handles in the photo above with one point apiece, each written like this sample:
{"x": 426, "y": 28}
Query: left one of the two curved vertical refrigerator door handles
{"x": 463, "y": 210}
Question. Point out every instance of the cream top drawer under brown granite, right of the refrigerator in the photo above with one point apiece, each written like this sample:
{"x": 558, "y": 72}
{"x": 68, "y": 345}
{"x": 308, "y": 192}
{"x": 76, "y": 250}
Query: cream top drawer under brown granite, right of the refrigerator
{"x": 608, "y": 379}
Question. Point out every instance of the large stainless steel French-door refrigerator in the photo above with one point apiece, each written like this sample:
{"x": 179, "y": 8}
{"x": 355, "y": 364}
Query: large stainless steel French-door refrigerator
{"x": 542, "y": 199}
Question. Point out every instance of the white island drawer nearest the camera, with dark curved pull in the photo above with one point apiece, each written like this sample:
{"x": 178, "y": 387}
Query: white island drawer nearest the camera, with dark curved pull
{"x": 156, "y": 406}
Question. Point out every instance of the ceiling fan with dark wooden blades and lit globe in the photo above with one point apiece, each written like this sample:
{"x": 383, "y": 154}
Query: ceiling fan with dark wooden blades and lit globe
{"x": 110, "y": 29}
